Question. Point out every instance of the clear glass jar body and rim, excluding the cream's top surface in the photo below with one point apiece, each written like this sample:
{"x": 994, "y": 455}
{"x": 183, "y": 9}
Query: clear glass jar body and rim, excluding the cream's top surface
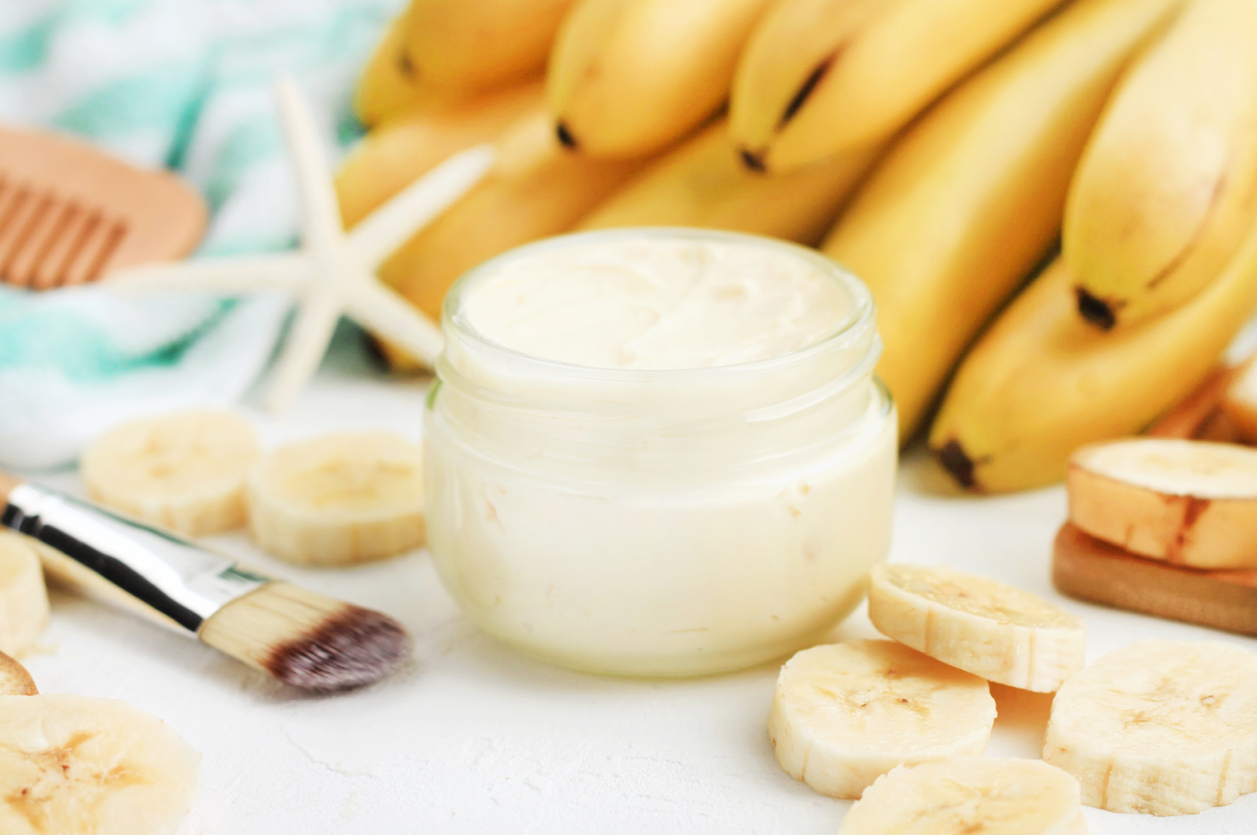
{"x": 672, "y": 523}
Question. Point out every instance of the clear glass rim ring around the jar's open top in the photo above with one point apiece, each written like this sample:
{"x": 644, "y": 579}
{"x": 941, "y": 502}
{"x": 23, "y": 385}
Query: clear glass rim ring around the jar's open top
{"x": 864, "y": 310}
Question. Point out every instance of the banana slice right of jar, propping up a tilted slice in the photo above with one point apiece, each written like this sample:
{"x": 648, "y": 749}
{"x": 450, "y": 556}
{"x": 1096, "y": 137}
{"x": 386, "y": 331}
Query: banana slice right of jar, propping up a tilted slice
{"x": 847, "y": 714}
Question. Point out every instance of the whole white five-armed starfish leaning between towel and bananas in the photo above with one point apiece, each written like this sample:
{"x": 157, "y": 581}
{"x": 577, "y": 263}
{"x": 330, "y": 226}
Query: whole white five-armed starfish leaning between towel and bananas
{"x": 334, "y": 272}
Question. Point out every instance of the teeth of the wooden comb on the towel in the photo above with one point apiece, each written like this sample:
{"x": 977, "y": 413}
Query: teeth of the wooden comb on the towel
{"x": 48, "y": 242}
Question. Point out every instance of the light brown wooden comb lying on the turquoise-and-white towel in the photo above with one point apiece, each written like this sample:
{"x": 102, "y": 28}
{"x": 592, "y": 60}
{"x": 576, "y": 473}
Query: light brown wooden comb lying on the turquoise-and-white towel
{"x": 71, "y": 213}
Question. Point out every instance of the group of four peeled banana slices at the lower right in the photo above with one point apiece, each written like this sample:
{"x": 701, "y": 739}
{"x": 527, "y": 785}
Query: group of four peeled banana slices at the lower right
{"x": 1161, "y": 727}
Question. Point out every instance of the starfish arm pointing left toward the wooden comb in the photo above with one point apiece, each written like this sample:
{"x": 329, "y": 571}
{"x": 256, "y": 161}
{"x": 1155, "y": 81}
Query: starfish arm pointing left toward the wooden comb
{"x": 217, "y": 275}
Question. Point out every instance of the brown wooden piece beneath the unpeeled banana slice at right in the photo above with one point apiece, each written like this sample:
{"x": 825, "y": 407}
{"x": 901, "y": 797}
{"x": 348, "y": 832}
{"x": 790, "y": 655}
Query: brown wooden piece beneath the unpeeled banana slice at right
{"x": 1089, "y": 569}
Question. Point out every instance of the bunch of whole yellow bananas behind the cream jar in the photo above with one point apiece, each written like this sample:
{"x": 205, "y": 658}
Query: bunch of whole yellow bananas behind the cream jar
{"x": 938, "y": 149}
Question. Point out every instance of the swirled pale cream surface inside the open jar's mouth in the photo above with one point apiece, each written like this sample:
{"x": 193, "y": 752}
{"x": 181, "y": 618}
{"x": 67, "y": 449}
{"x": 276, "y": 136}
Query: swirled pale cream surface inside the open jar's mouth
{"x": 658, "y": 304}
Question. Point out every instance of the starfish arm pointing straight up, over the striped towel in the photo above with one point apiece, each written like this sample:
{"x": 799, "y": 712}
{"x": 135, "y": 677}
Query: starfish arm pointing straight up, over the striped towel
{"x": 321, "y": 214}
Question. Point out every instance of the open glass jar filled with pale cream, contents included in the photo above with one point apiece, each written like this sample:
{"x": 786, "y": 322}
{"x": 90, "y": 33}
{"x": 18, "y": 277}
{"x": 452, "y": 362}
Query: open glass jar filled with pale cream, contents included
{"x": 659, "y": 452}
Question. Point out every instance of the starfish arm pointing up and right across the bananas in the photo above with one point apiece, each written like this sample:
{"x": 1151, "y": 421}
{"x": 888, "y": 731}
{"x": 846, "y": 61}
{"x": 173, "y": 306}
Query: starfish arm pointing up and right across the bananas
{"x": 389, "y": 227}
